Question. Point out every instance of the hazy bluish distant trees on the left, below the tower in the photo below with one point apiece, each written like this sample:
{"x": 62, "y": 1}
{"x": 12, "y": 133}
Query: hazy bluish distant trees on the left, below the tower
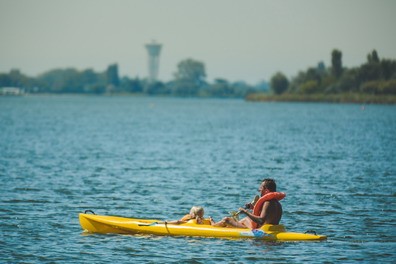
{"x": 189, "y": 81}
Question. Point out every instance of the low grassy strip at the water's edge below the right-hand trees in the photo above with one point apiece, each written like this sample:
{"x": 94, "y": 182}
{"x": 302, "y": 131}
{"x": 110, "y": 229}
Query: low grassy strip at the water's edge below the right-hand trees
{"x": 357, "y": 98}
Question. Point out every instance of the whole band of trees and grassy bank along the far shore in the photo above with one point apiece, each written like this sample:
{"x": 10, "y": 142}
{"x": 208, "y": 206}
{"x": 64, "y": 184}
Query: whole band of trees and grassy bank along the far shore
{"x": 372, "y": 82}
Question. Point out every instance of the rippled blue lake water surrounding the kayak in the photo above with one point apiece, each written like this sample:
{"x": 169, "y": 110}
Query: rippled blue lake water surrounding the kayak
{"x": 156, "y": 157}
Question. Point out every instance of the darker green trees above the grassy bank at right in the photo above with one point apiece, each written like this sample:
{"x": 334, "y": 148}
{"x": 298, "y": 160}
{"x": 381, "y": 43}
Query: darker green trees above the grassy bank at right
{"x": 376, "y": 76}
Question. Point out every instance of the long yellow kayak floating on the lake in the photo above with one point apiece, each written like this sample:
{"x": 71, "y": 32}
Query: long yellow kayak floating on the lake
{"x": 120, "y": 225}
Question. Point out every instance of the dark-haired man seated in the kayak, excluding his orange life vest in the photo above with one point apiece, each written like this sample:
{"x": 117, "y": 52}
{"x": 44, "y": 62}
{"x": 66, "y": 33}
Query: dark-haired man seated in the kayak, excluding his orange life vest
{"x": 271, "y": 212}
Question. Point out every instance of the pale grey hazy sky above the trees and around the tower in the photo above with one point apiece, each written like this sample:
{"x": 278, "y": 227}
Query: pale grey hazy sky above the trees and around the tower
{"x": 236, "y": 39}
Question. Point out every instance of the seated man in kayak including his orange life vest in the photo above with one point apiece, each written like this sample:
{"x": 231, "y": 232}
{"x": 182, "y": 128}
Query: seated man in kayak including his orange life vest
{"x": 266, "y": 211}
